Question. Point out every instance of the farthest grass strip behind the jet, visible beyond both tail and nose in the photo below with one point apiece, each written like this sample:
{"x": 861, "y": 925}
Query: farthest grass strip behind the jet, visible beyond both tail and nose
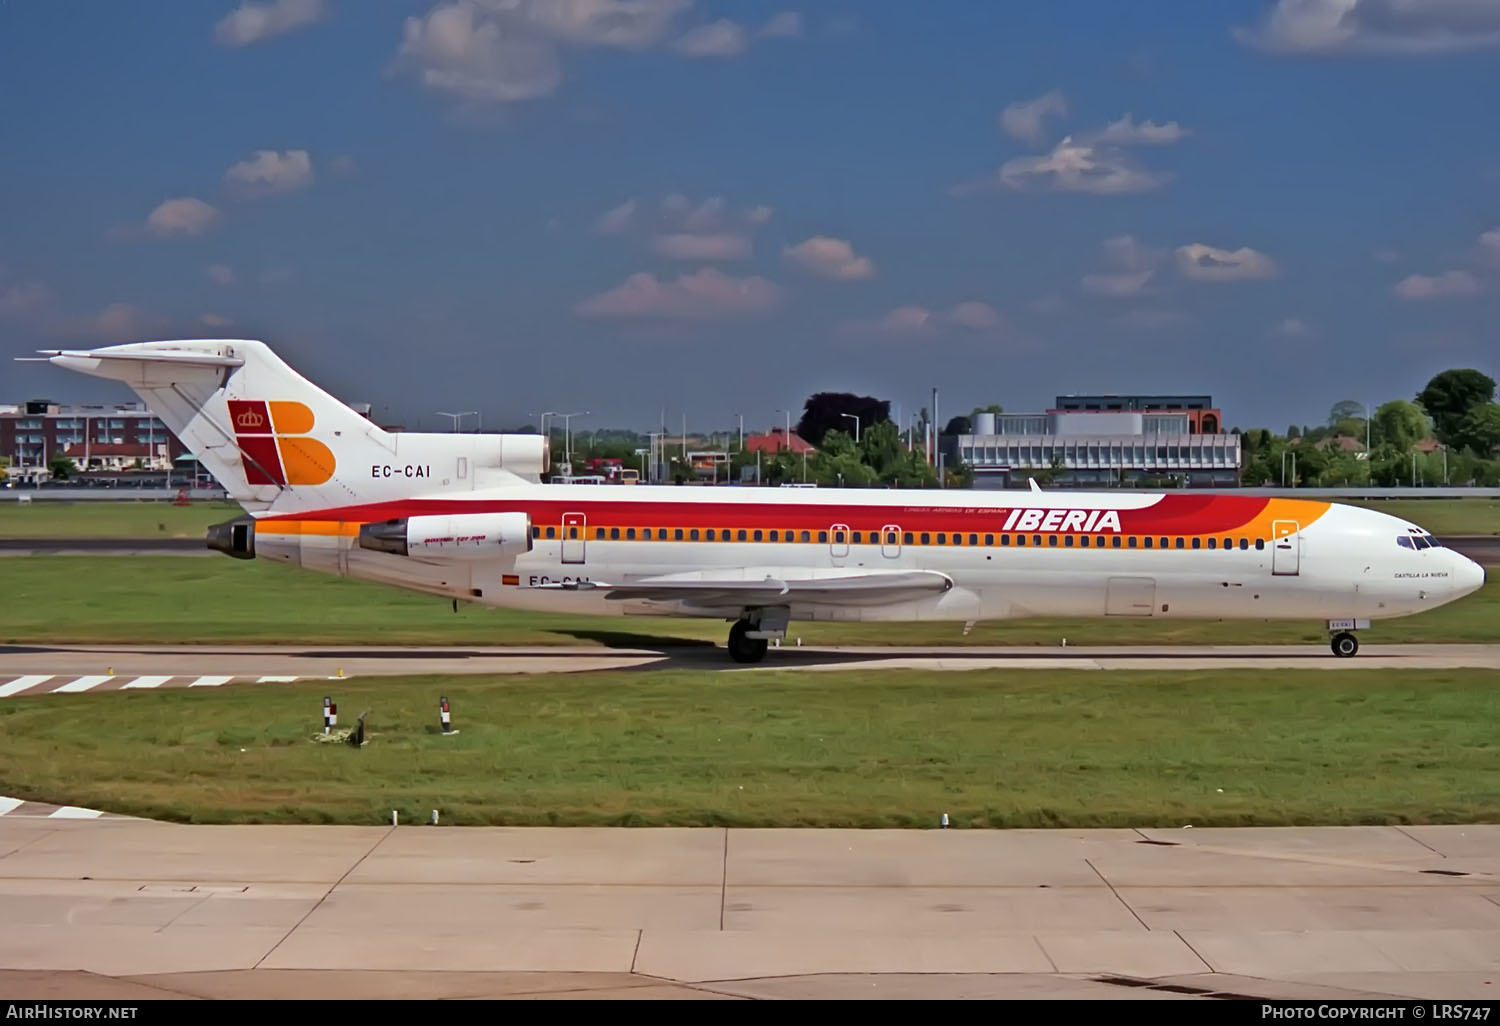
{"x": 163, "y": 520}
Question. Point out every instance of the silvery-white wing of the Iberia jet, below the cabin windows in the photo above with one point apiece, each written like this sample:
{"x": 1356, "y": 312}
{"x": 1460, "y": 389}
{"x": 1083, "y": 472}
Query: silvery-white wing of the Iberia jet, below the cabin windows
{"x": 773, "y": 587}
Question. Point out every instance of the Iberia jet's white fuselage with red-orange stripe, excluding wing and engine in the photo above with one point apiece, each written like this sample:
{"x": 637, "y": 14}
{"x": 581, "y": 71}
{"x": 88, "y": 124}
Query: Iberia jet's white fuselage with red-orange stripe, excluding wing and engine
{"x": 1175, "y": 556}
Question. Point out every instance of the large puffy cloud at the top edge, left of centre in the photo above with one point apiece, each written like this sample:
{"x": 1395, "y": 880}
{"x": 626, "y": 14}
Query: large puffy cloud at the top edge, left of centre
{"x": 458, "y": 52}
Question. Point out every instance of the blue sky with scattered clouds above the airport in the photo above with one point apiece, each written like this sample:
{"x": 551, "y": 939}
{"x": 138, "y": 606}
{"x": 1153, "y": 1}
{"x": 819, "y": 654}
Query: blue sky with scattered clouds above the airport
{"x": 704, "y": 209}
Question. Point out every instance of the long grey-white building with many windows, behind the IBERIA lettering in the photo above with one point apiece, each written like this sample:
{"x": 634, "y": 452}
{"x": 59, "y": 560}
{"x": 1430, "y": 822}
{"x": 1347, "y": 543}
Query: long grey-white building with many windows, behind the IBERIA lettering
{"x": 1145, "y": 442}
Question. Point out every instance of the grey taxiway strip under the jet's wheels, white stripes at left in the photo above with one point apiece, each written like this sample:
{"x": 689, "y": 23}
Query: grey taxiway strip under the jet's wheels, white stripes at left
{"x": 70, "y": 670}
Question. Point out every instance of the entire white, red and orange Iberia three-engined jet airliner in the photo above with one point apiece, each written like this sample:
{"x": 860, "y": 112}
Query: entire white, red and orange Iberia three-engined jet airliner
{"x": 467, "y": 517}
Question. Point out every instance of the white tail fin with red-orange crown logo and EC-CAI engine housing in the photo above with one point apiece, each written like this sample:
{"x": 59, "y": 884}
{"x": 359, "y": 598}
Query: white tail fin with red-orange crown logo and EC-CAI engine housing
{"x": 281, "y": 445}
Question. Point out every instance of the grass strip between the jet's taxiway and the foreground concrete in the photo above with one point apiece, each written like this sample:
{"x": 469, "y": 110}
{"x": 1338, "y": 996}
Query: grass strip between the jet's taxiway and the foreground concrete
{"x": 839, "y": 749}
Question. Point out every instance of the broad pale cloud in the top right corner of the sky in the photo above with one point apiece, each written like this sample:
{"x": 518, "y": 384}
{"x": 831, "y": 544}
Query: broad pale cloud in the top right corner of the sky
{"x": 1376, "y": 28}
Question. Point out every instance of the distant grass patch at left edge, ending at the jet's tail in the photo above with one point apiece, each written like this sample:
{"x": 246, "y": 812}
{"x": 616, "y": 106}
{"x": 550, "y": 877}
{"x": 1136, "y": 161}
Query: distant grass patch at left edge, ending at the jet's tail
{"x": 107, "y": 520}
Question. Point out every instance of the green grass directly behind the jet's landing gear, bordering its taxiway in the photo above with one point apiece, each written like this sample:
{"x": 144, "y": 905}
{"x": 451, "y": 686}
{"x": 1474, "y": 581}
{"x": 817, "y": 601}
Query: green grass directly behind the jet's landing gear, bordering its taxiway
{"x": 217, "y": 601}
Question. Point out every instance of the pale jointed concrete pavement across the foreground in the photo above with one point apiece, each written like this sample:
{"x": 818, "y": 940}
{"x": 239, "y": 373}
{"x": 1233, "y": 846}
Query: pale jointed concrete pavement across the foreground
{"x": 121, "y": 908}
